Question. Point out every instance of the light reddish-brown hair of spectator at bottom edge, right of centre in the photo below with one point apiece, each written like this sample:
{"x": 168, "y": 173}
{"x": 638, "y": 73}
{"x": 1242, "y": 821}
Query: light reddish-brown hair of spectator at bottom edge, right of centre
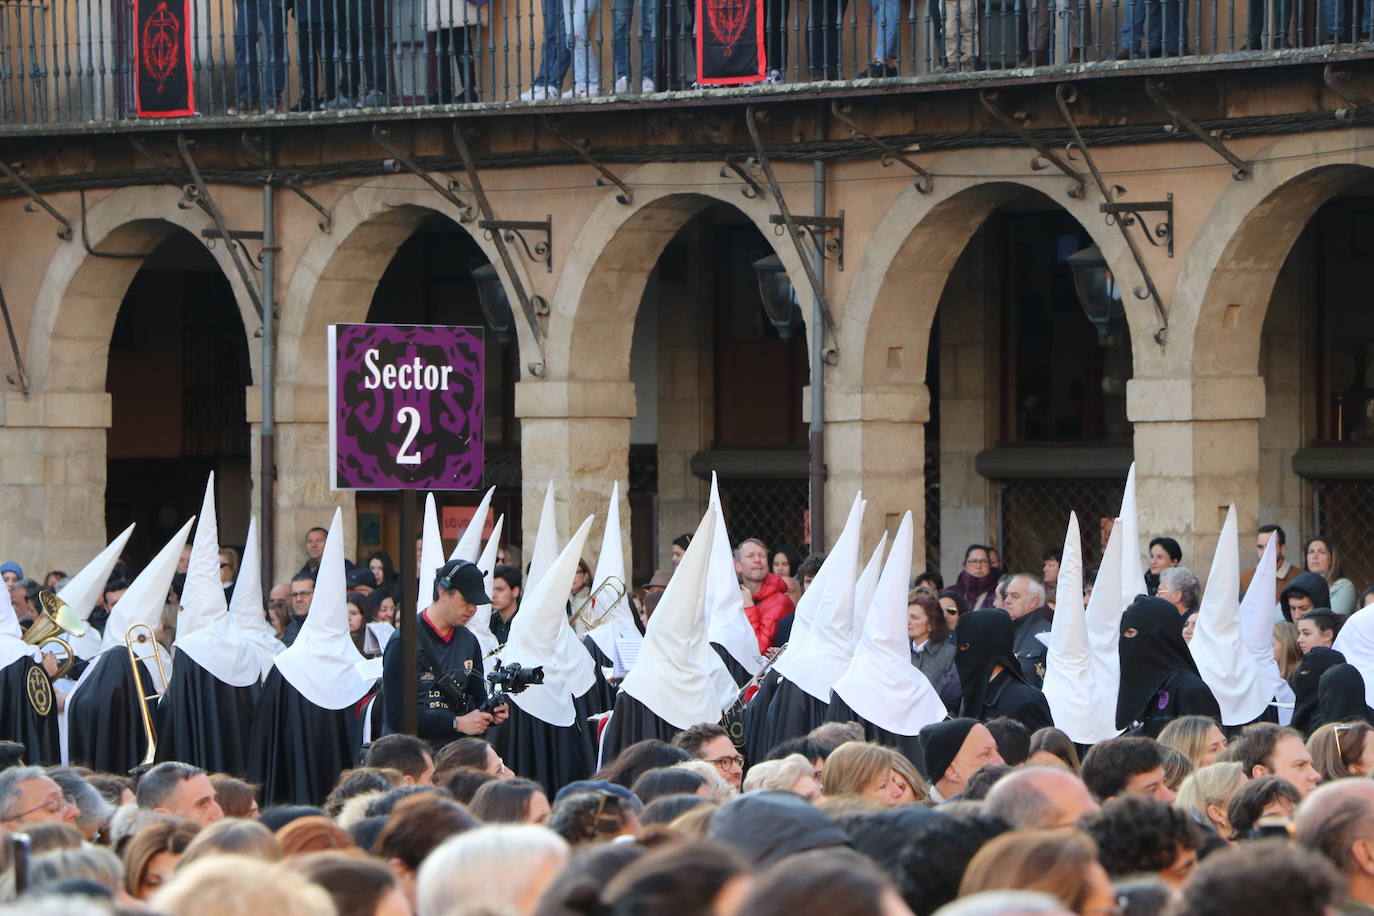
{"x": 1060, "y": 863}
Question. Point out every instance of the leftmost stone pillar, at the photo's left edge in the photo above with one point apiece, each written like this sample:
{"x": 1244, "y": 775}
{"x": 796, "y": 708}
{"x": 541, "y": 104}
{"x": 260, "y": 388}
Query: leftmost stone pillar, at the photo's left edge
{"x": 53, "y": 474}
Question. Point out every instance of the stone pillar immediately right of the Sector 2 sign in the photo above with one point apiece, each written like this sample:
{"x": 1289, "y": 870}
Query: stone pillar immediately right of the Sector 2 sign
{"x": 578, "y": 436}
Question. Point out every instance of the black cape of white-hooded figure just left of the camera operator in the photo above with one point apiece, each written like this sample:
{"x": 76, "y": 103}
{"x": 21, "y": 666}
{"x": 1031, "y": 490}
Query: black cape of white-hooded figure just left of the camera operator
{"x": 300, "y": 749}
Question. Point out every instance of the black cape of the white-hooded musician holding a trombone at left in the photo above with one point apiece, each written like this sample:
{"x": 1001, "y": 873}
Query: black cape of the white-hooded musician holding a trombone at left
{"x": 105, "y": 729}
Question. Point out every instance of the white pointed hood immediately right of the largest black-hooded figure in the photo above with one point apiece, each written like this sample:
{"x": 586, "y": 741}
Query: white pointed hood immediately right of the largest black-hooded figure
{"x": 1224, "y": 661}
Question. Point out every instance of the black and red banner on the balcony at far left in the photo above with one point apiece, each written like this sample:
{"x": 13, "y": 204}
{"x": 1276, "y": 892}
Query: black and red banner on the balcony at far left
{"x": 163, "y": 84}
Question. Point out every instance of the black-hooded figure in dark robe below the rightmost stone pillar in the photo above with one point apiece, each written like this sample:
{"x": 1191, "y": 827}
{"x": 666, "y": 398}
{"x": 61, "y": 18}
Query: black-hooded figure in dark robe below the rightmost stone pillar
{"x": 1159, "y": 678}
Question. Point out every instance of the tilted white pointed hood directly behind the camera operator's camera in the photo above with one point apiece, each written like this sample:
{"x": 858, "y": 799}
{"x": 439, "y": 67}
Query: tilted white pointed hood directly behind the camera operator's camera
{"x": 539, "y": 638}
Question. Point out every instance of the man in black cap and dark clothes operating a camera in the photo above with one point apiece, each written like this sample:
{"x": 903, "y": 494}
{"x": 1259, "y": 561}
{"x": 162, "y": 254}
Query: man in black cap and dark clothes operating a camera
{"x": 450, "y": 663}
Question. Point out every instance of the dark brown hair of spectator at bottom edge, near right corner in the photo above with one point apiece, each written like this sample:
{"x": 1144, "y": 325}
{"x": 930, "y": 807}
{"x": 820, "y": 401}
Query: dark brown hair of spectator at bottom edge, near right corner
{"x": 1268, "y": 878}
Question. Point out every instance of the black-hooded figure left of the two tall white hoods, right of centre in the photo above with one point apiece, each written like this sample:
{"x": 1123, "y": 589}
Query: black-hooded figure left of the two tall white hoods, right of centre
{"x": 990, "y": 674}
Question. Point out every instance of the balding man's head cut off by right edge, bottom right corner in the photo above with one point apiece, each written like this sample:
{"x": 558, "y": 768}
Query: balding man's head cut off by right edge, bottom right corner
{"x": 1338, "y": 822}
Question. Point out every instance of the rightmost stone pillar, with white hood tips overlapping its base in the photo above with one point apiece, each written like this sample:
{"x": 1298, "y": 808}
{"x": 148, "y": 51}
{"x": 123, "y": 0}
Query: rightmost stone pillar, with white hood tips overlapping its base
{"x": 1197, "y": 451}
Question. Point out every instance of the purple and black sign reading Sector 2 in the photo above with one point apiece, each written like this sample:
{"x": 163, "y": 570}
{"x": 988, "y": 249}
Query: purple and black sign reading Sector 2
{"x": 406, "y": 407}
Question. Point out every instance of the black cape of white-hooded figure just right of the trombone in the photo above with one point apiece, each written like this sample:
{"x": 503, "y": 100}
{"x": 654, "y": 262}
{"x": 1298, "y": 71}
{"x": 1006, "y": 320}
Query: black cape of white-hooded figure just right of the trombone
{"x": 203, "y": 720}
